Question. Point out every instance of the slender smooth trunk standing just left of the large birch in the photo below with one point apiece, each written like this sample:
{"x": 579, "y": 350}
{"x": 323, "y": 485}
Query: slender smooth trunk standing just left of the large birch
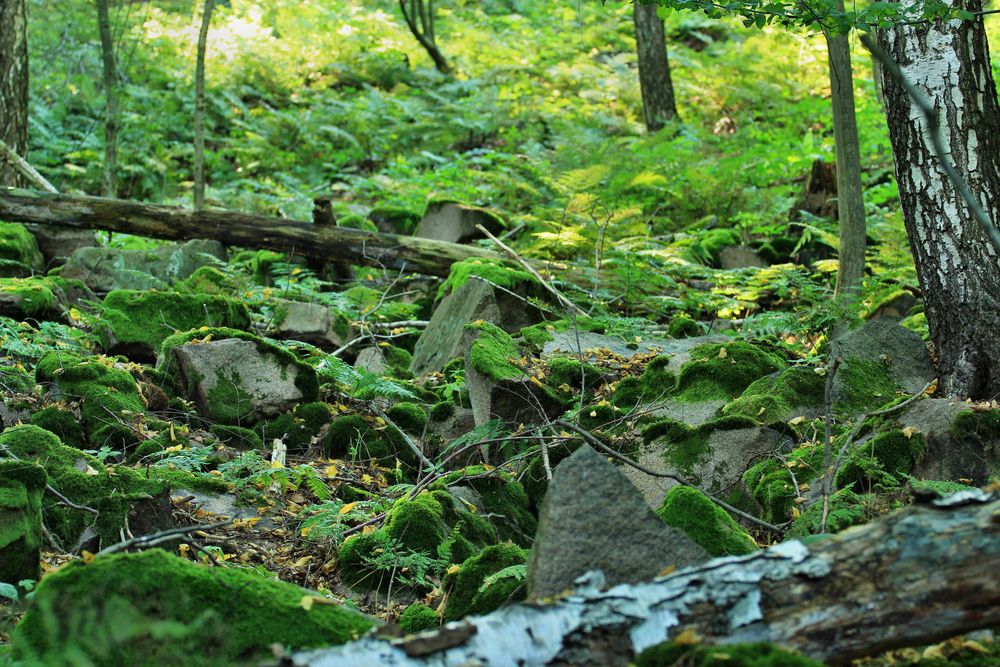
{"x": 850, "y": 198}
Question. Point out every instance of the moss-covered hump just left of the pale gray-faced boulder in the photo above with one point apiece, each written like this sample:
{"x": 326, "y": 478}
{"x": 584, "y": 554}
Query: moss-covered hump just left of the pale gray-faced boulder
{"x": 111, "y": 397}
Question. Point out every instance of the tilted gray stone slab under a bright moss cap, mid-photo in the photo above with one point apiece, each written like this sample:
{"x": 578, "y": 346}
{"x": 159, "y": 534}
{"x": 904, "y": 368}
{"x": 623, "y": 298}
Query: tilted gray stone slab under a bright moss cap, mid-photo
{"x": 445, "y": 338}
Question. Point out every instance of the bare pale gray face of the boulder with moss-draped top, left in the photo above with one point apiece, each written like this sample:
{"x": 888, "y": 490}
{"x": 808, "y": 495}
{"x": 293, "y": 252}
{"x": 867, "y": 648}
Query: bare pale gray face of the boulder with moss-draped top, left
{"x": 219, "y": 372}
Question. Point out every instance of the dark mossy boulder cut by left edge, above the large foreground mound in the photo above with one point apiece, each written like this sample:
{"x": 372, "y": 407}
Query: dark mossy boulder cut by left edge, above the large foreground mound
{"x": 22, "y": 485}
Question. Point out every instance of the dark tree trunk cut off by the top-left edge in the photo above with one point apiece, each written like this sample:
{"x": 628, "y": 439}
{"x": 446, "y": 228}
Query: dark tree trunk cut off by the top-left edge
{"x": 13, "y": 84}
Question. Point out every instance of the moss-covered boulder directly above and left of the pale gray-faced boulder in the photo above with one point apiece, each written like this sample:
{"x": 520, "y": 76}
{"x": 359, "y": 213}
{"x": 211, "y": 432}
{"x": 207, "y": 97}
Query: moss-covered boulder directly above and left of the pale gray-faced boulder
{"x": 136, "y": 323}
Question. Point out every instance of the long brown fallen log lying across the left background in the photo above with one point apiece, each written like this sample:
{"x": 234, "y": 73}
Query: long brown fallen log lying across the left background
{"x": 322, "y": 242}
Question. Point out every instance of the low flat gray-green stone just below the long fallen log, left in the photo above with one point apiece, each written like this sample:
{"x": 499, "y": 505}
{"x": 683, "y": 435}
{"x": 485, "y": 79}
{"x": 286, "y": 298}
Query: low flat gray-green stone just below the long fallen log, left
{"x": 105, "y": 269}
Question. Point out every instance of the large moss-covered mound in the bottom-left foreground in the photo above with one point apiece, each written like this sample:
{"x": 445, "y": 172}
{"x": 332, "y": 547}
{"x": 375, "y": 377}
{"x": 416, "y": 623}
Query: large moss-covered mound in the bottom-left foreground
{"x": 154, "y": 608}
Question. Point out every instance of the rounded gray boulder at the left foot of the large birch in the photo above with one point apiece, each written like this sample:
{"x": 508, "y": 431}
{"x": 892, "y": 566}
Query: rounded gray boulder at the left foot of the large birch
{"x": 901, "y": 351}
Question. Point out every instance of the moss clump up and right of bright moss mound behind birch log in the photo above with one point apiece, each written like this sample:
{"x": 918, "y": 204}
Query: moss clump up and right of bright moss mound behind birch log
{"x": 769, "y": 482}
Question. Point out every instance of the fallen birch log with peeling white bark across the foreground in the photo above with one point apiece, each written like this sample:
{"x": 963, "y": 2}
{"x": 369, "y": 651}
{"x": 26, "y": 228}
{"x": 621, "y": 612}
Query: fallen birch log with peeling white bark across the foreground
{"x": 925, "y": 573}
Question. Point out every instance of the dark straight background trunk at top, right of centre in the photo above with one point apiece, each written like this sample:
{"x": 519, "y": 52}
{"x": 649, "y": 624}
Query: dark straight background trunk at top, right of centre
{"x": 658, "y": 102}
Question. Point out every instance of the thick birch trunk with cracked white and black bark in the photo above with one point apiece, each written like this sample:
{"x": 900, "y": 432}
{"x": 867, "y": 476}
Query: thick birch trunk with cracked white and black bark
{"x": 958, "y": 268}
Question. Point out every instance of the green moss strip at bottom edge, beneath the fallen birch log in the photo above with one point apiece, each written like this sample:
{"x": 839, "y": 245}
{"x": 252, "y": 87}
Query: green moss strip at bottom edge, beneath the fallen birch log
{"x": 759, "y": 654}
